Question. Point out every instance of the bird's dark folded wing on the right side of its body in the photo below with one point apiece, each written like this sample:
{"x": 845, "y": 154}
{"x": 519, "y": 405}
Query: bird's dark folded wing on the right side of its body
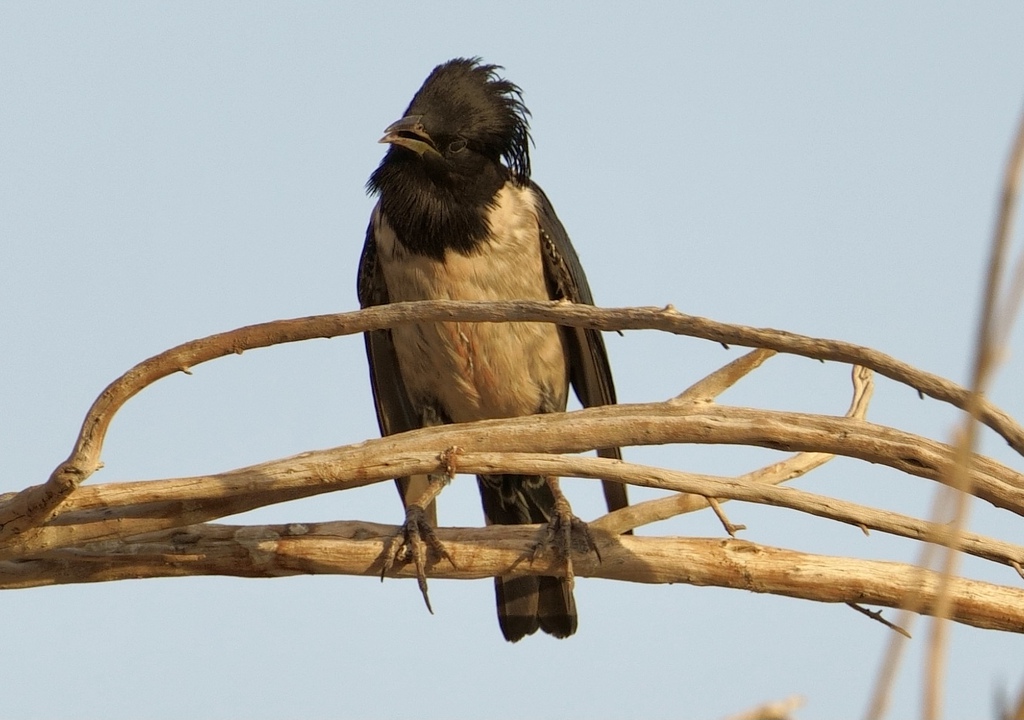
{"x": 589, "y": 369}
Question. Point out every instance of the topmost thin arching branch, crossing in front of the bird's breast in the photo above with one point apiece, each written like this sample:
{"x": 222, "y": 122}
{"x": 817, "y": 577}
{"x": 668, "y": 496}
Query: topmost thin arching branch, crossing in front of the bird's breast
{"x": 35, "y": 505}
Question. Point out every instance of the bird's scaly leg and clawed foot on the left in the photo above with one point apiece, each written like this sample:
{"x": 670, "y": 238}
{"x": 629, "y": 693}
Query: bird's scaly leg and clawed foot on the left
{"x": 417, "y": 536}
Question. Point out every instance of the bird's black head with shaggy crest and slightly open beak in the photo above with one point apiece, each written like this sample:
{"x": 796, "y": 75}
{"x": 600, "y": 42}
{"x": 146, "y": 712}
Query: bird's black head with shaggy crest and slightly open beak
{"x": 463, "y": 119}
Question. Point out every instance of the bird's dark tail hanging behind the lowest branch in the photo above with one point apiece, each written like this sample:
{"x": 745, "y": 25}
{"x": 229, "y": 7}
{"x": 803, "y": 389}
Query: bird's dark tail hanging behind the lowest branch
{"x": 527, "y": 604}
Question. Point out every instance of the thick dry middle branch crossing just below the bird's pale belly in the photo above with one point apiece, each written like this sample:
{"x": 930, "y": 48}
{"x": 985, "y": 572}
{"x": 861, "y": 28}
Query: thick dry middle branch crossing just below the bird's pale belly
{"x": 127, "y": 510}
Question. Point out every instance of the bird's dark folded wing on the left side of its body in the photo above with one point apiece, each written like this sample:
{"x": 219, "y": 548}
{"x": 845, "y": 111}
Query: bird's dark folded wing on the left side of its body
{"x": 395, "y": 411}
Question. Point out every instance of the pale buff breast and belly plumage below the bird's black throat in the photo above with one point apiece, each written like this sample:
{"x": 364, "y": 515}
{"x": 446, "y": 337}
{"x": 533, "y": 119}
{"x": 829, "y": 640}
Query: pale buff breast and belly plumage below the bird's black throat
{"x": 478, "y": 371}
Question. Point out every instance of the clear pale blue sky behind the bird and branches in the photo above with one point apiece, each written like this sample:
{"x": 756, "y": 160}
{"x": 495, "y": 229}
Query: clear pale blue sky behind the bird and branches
{"x": 170, "y": 171}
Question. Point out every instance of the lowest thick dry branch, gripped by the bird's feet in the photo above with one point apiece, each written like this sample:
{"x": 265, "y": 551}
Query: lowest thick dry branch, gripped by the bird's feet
{"x": 357, "y": 548}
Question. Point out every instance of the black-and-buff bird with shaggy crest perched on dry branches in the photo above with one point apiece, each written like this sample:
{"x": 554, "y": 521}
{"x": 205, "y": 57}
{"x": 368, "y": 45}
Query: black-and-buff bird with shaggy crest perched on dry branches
{"x": 459, "y": 218}
